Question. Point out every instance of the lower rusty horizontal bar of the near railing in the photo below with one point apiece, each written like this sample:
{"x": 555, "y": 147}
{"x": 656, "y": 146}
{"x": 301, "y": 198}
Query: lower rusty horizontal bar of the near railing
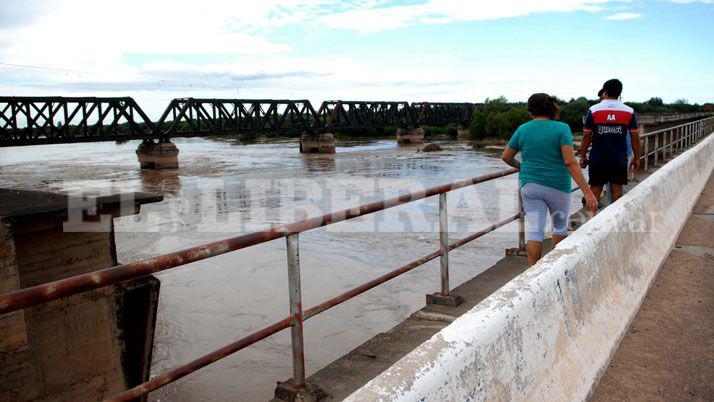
{"x": 203, "y": 361}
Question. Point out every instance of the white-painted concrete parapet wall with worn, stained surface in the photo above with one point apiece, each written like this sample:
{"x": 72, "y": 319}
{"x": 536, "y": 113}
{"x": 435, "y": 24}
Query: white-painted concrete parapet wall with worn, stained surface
{"x": 550, "y": 332}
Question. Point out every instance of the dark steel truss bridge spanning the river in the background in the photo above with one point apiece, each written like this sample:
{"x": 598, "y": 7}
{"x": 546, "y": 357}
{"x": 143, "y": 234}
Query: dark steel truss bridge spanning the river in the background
{"x": 53, "y": 120}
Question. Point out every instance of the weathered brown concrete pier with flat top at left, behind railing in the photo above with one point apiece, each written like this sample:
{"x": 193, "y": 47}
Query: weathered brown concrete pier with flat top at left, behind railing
{"x": 84, "y": 347}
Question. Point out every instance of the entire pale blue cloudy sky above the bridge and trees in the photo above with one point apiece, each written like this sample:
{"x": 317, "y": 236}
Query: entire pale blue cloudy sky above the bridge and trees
{"x": 412, "y": 50}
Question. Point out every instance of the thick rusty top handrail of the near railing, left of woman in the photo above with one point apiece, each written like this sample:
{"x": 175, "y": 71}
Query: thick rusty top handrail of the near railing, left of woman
{"x": 47, "y": 292}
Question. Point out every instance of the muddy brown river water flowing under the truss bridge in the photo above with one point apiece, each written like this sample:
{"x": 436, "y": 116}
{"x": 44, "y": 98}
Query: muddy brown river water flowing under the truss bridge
{"x": 223, "y": 189}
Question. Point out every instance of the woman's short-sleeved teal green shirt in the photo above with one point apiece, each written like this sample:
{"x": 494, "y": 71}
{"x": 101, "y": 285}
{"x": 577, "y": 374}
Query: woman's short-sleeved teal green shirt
{"x": 539, "y": 142}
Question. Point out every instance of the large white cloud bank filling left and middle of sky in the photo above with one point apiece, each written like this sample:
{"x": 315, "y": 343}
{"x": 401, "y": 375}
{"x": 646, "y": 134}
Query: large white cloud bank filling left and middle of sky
{"x": 160, "y": 48}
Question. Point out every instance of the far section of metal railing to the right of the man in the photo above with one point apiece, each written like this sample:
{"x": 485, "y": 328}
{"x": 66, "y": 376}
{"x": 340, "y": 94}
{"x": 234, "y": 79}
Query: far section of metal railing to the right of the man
{"x": 660, "y": 144}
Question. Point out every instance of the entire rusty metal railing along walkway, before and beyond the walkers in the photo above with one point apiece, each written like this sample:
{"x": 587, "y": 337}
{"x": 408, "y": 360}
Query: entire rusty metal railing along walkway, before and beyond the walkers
{"x": 679, "y": 137}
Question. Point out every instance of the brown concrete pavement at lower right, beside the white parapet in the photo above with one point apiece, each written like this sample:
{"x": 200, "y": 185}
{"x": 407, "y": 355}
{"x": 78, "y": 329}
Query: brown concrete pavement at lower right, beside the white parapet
{"x": 668, "y": 351}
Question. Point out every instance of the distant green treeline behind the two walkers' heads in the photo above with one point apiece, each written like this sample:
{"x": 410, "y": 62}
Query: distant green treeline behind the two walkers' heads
{"x": 500, "y": 118}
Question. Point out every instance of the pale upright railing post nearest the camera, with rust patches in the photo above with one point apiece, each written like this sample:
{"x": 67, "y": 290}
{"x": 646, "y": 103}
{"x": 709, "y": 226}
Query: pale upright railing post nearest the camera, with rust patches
{"x": 293, "y": 246}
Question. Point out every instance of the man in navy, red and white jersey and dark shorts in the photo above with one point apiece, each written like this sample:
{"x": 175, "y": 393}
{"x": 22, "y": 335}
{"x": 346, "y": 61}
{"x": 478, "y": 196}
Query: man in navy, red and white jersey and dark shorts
{"x": 607, "y": 126}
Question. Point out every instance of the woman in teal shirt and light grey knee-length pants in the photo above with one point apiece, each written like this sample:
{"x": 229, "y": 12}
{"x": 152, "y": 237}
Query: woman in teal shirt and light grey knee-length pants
{"x": 548, "y": 162}
